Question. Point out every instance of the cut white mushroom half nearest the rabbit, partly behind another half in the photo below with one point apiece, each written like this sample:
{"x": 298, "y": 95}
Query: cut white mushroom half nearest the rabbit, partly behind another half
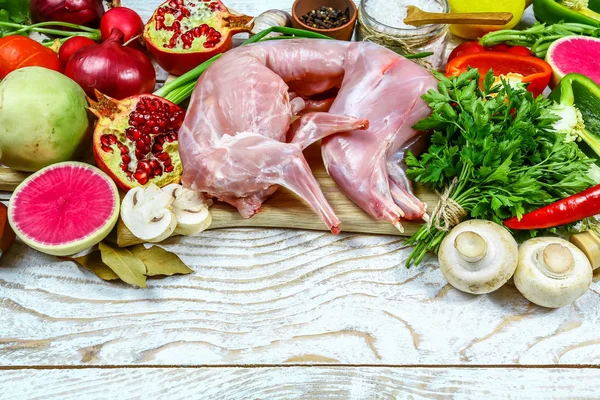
{"x": 191, "y": 210}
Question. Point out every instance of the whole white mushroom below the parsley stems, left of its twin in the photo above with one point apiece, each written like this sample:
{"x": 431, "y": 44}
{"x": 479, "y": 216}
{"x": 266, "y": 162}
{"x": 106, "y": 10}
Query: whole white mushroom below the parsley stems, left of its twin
{"x": 478, "y": 256}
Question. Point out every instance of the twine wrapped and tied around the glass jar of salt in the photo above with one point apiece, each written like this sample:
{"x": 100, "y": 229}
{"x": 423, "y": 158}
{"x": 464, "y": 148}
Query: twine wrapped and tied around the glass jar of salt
{"x": 401, "y": 45}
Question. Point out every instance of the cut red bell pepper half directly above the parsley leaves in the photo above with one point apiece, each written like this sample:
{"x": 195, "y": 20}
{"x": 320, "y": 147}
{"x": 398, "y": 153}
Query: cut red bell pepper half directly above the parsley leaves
{"x": 535, "y": 71}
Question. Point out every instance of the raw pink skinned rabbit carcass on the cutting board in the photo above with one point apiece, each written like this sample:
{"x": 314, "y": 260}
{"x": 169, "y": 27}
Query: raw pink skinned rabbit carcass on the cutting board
{"x": 244, "y": 132}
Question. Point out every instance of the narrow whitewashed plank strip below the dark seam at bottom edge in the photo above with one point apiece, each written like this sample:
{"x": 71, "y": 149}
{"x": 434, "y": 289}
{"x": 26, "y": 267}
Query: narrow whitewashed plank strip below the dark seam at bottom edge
{"x": 300, "y": 383}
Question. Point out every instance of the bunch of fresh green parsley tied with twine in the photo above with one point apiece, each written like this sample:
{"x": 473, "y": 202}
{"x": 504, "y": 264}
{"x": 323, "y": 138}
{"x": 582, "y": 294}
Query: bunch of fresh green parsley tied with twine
{"x": 494, "y": 152}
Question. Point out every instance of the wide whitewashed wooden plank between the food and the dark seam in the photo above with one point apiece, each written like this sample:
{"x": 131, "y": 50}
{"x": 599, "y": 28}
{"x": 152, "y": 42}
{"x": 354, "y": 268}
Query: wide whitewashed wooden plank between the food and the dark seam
{"x": 280, "y": 297}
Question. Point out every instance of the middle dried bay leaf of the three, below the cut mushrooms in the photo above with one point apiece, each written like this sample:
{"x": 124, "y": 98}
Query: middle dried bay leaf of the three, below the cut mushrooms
{"x": 129, "y": 268}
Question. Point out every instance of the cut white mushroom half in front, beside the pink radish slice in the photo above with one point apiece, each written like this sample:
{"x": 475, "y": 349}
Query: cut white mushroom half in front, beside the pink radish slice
{"x": 146, "y": 212}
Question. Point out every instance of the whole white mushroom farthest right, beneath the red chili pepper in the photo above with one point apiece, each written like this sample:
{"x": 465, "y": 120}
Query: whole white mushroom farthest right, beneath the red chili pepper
{"x": 552, "y": 272}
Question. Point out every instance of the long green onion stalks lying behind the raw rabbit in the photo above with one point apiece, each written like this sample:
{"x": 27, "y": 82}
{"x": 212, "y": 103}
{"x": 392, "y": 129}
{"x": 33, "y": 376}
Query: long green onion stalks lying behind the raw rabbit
{"x": 181, "y": 88}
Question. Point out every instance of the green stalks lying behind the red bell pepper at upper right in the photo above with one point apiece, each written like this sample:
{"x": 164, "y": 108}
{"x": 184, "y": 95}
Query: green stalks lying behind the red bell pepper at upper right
{"x": 539, "y": 37}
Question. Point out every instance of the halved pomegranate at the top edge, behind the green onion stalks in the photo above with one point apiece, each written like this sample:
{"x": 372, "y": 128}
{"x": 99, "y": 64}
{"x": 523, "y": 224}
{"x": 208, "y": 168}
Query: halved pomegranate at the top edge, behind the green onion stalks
{"x": 184, "y": 33}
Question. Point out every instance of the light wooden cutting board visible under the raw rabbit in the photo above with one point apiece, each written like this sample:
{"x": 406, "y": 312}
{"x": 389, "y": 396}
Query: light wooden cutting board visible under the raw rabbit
{"x": 282, "y": 210}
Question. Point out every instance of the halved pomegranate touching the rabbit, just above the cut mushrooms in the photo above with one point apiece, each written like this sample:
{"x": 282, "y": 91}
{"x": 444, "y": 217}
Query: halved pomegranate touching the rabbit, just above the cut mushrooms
{"x": 135, "y": 140}
